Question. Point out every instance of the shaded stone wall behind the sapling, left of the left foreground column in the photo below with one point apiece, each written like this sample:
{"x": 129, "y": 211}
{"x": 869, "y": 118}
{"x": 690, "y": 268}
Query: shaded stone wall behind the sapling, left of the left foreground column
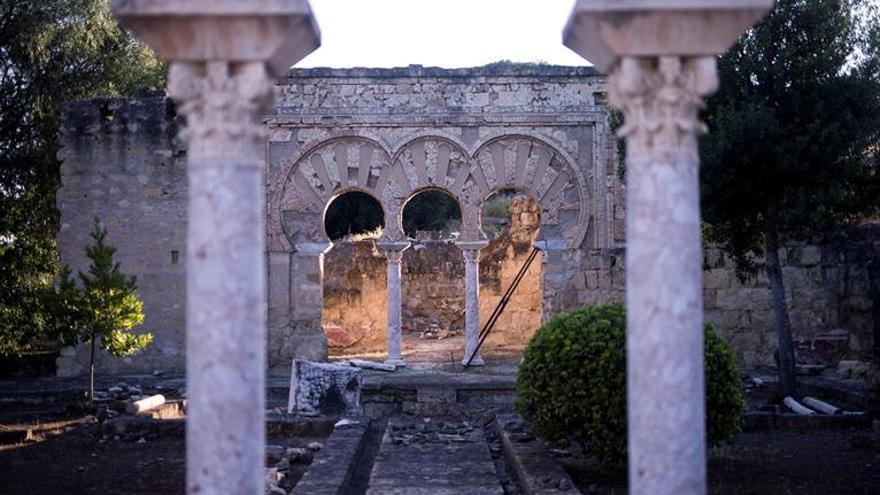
{"x": 122, "y": 163}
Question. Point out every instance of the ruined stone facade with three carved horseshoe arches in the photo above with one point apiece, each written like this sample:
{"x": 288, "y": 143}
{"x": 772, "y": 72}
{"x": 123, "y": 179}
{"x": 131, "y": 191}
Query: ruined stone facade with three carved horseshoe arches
{"x": 394, "y": 132}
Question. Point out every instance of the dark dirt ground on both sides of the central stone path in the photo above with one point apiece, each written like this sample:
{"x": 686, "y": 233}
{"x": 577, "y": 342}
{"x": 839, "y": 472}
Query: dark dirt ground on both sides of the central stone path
{"x": 64, "y": 454}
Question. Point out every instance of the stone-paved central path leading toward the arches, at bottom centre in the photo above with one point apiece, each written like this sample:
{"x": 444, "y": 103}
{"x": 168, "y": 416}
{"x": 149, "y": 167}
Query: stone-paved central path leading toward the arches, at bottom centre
{"x": 431, "y": 456}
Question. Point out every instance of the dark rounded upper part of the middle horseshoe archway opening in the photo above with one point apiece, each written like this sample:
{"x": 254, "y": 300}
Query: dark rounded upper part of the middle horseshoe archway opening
{"x": 432, "y": 214}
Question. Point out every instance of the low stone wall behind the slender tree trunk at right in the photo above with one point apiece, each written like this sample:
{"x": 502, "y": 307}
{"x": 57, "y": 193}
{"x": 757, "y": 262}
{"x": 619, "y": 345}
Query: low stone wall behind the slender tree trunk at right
{"x": 832, "y": 287}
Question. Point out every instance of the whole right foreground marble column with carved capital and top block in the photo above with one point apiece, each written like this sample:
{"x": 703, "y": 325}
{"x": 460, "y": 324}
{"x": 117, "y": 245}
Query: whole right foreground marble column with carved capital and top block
{"x": 661, "y": 57}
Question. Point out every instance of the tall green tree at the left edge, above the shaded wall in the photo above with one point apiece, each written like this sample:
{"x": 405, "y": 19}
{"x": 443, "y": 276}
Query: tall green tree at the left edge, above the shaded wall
{"x": 51, "y": 51}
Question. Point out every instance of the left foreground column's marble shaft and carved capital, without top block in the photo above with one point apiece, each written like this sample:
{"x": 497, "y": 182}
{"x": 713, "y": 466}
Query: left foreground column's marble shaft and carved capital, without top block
{"x": 226, "y": 267}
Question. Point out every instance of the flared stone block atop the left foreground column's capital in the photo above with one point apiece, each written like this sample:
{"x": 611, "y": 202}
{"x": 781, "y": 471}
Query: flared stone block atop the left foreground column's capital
{"x": 278, "y": 32}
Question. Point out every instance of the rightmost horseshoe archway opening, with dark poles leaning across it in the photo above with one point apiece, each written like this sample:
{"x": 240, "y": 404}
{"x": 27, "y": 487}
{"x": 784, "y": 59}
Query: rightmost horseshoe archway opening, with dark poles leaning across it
{"x": 511, "y": 221}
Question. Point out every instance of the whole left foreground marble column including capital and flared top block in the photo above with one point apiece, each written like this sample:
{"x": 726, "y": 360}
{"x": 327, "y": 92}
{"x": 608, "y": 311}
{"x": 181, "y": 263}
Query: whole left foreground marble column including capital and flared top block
{"x": 223, "y": 56}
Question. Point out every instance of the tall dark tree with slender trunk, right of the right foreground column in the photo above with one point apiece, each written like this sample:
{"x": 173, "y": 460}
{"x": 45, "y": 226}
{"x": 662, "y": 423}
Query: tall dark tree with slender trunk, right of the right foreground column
{"x": 793, "y": 141}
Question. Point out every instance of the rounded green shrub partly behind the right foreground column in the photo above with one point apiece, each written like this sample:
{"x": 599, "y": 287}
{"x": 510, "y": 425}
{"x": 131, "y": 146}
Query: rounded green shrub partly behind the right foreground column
{"x": 572, "y": 383}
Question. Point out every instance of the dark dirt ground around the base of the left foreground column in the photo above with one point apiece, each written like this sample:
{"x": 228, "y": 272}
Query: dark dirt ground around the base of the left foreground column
{"x": 70, "y": 457}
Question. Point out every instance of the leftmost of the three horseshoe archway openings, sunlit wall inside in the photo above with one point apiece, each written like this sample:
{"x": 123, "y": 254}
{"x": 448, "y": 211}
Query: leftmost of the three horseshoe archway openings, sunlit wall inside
{"x": 354, "y": 310}
